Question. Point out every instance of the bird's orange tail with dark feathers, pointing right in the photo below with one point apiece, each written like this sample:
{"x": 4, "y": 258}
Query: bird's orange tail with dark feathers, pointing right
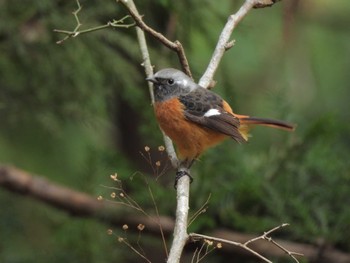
{"x": 246, "y": 121}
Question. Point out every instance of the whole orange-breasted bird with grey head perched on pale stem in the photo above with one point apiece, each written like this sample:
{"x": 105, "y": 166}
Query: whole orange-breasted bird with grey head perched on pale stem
{"x": 196, "y": 118}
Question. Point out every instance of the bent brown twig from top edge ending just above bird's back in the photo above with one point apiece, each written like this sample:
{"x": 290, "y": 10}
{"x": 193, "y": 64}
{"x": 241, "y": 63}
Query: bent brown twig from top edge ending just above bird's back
{"x": 175, "y": 46}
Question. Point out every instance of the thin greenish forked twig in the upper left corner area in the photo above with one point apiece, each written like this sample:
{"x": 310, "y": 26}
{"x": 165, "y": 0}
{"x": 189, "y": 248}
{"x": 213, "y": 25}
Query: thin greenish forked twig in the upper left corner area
{"x": 76, "y": 32}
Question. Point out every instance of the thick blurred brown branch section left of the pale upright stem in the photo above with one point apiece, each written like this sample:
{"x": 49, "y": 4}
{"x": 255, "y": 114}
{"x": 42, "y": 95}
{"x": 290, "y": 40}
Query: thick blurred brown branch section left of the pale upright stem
{"x": 74, "y": 202}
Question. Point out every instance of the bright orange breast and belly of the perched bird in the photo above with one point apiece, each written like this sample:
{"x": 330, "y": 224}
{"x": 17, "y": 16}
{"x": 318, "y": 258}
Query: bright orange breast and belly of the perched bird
{"x": 191, "y": 139}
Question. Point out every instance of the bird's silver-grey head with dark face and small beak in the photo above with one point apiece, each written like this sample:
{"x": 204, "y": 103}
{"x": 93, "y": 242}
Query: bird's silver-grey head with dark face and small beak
{"x": 170, "y": 82}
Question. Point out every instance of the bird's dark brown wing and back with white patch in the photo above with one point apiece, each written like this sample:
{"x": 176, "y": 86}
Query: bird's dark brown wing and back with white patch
{"x": 206, "y": 109}
